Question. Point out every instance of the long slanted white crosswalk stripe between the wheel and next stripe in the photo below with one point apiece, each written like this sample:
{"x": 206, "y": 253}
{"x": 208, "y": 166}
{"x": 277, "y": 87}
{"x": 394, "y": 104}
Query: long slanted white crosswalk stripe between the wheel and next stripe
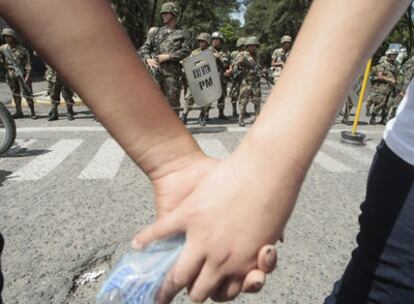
{"x": 43, "y": 164}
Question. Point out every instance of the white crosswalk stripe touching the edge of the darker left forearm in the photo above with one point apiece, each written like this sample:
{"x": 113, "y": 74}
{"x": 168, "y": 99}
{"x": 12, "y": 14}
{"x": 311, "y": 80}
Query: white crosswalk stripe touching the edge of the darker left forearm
{"x": 106, "y": 163}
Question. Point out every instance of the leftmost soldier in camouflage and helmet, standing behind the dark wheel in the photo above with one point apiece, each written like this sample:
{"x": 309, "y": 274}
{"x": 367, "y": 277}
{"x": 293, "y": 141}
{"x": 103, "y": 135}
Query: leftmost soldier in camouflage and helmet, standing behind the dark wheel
{"x": 19, "y": 85}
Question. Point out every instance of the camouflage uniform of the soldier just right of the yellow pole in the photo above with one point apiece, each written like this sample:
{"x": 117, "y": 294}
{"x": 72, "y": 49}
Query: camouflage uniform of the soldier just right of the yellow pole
{"x": 381, "y": 90}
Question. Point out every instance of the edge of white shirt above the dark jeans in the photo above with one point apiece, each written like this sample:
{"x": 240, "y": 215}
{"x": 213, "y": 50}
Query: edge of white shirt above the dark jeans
{"x": 399, "y": 133}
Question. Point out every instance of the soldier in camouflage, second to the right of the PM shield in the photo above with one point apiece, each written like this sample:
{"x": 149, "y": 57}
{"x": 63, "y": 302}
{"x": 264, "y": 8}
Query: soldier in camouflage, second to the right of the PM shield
{"x": 250, "y": 88}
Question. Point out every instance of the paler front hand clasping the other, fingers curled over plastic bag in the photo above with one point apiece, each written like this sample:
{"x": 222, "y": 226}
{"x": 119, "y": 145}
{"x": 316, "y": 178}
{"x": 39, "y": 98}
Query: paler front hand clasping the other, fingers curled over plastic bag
{"x": 225, "y": 231}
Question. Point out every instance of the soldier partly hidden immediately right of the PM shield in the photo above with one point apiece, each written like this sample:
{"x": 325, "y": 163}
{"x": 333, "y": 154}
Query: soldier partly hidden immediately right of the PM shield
{"x": 224, "y": 68}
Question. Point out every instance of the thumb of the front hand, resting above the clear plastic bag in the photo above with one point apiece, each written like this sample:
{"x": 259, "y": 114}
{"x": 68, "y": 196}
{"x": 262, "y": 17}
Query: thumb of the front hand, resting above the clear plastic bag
{"x": 165, "y": 227}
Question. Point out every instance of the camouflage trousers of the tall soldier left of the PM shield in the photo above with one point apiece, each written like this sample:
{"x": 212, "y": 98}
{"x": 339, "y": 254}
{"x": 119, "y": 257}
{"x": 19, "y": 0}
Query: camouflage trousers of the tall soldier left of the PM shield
{"x": 170, "y": 84}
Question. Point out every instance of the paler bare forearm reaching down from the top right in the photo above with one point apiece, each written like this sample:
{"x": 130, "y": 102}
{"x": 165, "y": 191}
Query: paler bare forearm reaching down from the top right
{"x": 331, "y": 49}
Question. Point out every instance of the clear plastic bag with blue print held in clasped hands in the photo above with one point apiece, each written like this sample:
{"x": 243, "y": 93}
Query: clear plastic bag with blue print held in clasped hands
{"x": 138, "y": 276}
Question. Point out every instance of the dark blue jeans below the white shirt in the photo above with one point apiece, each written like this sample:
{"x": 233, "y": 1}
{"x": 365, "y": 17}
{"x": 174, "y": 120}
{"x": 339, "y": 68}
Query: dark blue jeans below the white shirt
{"x": 381, "y": 269}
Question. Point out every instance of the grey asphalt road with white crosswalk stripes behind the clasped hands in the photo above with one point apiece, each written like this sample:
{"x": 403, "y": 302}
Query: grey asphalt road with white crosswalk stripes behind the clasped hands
{"x": 71, "y": 201}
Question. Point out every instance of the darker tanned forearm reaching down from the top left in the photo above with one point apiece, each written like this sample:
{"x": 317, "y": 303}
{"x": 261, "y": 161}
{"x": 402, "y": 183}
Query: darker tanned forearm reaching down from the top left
{"x": 87, "y": 46}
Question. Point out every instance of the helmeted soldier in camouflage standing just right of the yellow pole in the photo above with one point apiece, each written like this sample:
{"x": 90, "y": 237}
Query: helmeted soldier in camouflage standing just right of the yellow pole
{"x": 384, "y": 84}
